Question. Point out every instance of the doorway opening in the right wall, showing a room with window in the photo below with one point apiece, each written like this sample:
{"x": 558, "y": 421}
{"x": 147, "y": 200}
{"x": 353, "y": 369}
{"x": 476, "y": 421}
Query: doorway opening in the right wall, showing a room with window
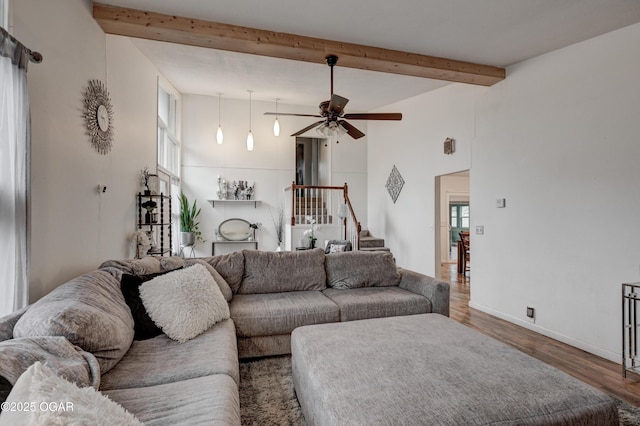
{"x": 452, "y": 214}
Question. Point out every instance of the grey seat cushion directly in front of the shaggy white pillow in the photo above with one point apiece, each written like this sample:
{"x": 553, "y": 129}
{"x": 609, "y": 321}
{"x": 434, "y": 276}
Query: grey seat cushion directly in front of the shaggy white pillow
{"x": 162, "y": 360}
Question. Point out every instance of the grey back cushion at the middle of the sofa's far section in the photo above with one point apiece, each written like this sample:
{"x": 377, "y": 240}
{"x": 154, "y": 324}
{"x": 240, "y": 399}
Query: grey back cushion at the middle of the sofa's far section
{"x": 275, "y": 272}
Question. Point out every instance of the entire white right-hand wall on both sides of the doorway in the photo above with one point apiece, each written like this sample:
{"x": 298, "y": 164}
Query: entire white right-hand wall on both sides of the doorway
{"x": 559, "y": 140}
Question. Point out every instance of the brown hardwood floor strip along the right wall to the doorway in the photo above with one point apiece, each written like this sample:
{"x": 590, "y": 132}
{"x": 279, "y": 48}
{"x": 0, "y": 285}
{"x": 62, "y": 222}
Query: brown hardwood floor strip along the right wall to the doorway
{"x": 596, "y": 371}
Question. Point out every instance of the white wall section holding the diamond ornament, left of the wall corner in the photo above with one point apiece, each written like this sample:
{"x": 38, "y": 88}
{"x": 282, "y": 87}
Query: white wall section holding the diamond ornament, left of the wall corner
{"x": 415, "y": 147}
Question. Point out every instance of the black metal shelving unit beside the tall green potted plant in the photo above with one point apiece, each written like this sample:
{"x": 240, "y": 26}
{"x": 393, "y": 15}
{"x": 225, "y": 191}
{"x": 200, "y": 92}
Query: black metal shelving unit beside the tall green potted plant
{"x": 162, "y": 224}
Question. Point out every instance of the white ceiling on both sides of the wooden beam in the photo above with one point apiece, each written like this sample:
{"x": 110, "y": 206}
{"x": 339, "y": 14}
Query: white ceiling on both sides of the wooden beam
{"x": 491, "y": 32}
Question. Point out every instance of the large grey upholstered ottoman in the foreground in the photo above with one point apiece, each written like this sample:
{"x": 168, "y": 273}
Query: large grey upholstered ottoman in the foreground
{"x": 430, "y": 370}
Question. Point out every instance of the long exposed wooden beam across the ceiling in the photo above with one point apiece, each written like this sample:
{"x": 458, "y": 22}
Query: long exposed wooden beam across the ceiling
{"x": 214, "y": 35}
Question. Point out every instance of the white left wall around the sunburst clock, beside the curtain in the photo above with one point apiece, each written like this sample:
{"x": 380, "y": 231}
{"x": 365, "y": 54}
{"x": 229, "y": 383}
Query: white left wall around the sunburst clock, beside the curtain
{"x": 73, "y": 229}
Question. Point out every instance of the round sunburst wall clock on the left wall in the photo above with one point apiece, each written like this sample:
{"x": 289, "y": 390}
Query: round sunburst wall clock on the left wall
{"x": 98, "y": 116}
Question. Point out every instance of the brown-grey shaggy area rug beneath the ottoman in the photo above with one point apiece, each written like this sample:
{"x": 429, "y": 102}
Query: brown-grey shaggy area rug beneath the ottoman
{"x": 267, "y": 397}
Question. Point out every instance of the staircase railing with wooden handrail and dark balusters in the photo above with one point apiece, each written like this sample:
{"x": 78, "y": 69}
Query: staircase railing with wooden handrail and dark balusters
{"x": 326, "y": 205}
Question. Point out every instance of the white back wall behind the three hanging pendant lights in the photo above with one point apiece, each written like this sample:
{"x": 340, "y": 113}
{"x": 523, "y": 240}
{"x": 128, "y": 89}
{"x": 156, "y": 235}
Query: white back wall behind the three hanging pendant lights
{"x": 270, "y": 165}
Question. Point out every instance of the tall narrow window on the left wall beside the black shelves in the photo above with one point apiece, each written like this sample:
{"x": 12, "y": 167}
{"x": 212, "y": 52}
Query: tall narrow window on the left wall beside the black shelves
{"x": 169, "y": 151}
